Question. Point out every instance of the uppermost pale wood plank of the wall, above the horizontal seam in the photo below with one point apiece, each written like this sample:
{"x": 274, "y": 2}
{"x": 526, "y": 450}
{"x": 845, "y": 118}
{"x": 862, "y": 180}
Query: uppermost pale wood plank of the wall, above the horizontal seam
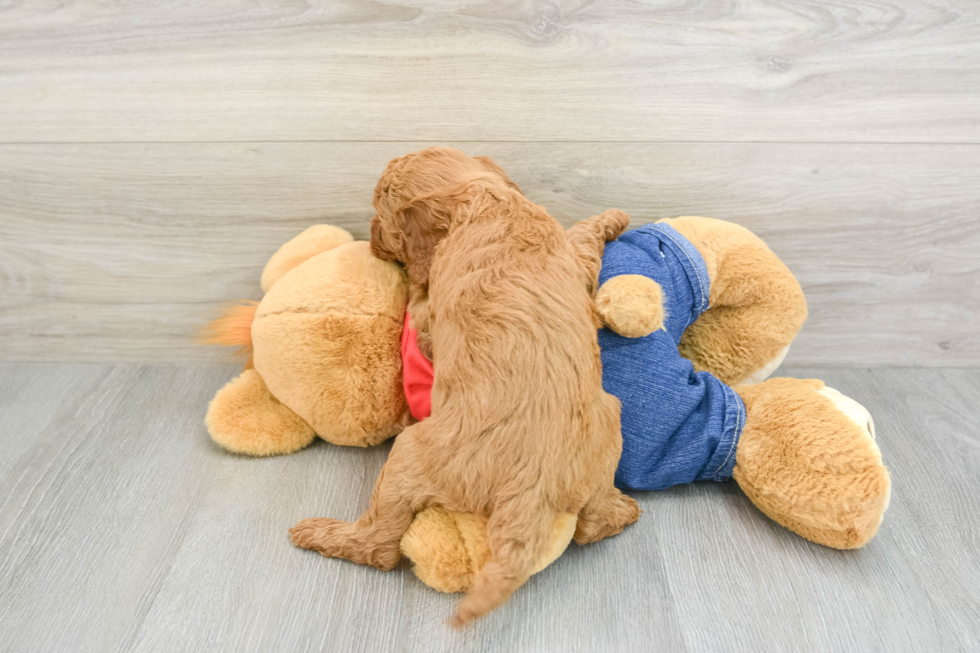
{"x": 236, "y": 70}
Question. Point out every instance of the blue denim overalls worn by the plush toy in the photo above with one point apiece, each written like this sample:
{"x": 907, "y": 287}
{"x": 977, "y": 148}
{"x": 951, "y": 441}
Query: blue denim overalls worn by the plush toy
{"x": 678, "y": 425}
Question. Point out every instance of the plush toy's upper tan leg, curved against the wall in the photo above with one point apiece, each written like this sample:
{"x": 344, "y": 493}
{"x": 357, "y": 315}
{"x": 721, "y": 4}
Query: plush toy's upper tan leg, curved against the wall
{"x": 756, "y": 305}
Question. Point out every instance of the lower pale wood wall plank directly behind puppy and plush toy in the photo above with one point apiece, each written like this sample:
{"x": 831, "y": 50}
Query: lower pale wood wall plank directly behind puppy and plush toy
{"x": 118, "y": 252}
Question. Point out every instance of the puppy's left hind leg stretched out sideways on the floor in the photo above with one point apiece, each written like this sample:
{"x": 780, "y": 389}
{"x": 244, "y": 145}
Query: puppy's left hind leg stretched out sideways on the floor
{"x": 374, "y": 538}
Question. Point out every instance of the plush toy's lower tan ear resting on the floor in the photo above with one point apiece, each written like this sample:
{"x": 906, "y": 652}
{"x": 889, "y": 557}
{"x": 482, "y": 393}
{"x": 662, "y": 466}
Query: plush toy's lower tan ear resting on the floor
{"x": 245, "y": 418}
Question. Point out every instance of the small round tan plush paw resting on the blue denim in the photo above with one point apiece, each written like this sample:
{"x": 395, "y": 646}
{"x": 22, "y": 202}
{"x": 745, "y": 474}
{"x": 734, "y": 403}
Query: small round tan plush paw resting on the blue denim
{"x": 631, "y": 305}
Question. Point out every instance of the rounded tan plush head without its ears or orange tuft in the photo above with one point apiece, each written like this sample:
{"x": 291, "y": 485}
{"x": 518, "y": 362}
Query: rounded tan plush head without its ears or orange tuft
{"x": 326, "y": 341}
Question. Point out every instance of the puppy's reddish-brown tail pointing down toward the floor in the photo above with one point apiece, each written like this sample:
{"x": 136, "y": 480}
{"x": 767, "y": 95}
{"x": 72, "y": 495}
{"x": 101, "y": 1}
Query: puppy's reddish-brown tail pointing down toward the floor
{"x": 520, "y": 532}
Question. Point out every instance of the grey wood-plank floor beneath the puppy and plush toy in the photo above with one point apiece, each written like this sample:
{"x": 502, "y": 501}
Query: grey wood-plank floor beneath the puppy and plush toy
{"x": 122, "y": 528}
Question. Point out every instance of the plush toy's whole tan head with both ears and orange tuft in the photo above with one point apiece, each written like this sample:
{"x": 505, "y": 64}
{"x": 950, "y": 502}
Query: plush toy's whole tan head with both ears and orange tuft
{"x": 326, "y": 356}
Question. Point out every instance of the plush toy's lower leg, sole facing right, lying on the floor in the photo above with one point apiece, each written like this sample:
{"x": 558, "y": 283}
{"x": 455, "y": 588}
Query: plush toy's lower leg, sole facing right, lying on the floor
{"x": 808, "y": 459}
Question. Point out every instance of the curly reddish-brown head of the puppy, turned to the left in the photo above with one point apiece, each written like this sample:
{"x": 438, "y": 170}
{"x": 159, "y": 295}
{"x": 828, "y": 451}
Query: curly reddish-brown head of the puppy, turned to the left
{"x": 417, "y": 198}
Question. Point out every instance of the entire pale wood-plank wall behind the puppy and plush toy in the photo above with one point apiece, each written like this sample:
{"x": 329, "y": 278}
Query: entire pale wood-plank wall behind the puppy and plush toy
{"x": 153, "y": 156}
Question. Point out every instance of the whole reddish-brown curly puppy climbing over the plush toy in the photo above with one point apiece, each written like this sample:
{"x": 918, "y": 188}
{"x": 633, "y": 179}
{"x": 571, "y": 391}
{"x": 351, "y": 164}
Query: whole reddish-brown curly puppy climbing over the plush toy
{"x": 521, "y": 428}
